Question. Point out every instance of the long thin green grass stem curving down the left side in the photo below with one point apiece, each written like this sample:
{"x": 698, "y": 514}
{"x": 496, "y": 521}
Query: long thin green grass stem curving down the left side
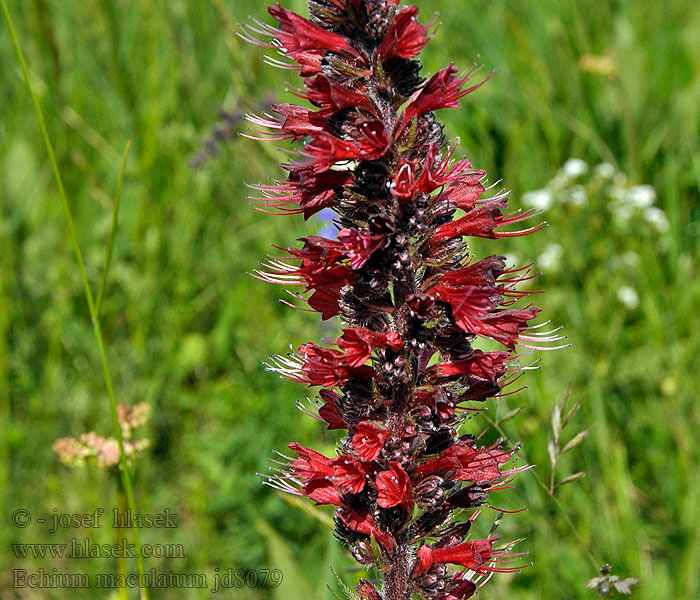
{"x": 94, "y": 317}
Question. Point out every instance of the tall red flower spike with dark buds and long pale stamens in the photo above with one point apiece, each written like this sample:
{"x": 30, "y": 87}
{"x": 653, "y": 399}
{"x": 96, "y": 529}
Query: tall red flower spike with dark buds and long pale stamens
{"x": 412, "y": 300}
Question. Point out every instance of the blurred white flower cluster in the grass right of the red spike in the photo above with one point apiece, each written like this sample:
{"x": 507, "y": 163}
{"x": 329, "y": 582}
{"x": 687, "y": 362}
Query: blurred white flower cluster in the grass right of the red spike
{"x": 611, "y": 225}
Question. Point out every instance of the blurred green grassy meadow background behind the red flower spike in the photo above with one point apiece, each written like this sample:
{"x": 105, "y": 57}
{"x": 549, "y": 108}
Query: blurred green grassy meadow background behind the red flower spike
{"x": 594, "y": 117}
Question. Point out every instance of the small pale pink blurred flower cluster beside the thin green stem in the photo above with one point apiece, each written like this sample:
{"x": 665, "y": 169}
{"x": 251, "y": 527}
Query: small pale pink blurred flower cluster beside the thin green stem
{"x": 105, "y": 451}
